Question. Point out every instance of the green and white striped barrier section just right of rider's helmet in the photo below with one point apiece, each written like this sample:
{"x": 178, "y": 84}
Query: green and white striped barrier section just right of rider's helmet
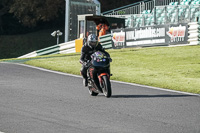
{"x": 106, "y": 41}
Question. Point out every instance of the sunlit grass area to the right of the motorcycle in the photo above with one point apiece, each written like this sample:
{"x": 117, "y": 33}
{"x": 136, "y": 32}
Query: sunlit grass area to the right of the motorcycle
{"x": 173, "y": 68}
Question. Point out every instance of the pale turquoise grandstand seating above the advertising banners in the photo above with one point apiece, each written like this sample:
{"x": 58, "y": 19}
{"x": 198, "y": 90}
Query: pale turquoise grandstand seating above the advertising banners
{"x": 165, "y": 15}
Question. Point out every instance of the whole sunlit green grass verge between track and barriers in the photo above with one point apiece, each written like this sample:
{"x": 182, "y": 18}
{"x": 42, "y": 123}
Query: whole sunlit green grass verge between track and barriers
{"x": 176, "y": 68}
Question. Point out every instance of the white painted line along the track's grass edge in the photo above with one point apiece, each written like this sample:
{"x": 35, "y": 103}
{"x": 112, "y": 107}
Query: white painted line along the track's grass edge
{"x": 121, "y": 82}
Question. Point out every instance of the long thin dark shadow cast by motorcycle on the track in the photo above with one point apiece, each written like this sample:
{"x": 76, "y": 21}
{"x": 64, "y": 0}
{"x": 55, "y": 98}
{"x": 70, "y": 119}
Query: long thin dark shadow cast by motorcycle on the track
{"x": 148, "y": 96}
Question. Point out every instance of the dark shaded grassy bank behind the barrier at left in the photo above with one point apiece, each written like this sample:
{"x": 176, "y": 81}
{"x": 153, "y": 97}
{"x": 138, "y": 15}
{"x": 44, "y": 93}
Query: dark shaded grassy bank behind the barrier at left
{"x": 12, "y": 46}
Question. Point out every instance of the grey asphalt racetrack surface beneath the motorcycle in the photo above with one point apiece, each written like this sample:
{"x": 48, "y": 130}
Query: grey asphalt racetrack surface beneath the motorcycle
{"x": 37, "y": 101}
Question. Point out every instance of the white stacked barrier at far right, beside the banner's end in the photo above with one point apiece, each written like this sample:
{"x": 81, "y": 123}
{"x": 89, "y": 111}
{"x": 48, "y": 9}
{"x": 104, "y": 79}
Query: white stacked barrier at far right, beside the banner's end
{"x": 194, "y": 33}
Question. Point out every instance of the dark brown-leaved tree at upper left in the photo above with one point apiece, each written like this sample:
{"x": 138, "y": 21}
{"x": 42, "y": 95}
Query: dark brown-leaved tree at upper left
{"x": 30, "y": 12}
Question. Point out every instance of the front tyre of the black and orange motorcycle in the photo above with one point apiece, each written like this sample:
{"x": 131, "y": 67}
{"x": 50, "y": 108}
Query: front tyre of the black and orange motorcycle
{"x": 106, "y": 86}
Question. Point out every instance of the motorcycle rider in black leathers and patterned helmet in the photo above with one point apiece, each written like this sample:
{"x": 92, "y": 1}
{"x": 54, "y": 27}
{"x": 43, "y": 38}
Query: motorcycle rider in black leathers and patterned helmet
{"x": 89, "y": 47}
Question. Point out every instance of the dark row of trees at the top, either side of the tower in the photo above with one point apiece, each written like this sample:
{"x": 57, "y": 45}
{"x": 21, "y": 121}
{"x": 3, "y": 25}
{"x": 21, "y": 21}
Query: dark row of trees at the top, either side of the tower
{"x": 31, "y": 13}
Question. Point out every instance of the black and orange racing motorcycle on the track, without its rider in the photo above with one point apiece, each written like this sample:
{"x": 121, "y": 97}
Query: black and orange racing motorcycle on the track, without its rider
{"x": 98, "y": 74}
